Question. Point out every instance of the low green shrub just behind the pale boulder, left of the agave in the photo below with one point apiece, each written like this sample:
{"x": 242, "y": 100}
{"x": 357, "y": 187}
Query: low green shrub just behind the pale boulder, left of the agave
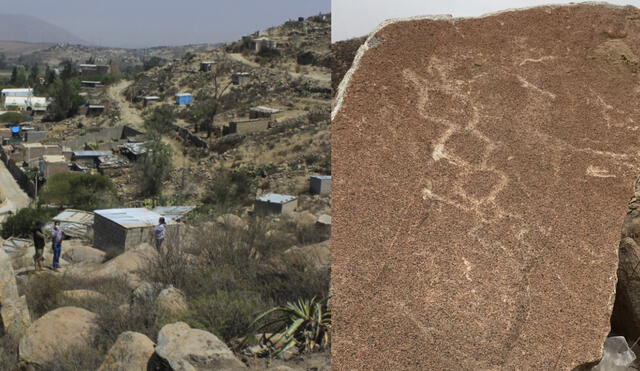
{"x": 228, "y": 314}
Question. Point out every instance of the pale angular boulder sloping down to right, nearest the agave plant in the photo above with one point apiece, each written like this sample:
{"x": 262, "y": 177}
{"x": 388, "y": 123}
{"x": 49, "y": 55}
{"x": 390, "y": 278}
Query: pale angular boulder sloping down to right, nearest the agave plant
{"x": 187, "y": 349}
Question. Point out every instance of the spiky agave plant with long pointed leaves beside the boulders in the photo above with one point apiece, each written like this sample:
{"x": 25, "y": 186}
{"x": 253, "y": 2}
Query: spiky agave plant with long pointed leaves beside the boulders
{"x": 305, "y": 325}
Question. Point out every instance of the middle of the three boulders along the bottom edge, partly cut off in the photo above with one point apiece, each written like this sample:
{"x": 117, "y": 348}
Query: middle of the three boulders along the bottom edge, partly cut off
{"x": 132, "y": 351}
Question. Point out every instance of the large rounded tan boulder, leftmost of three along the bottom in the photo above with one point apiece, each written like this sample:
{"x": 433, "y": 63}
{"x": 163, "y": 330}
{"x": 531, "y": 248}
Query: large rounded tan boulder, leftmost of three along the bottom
{"x": 58, "y": 331}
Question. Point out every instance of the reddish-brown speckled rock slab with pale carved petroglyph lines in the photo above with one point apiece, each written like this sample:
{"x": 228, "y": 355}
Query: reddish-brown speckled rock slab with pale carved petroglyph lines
{"x": 482, "y": 169}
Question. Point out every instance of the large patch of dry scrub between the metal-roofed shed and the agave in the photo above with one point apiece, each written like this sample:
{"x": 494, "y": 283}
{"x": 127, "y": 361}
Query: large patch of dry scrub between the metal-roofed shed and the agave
{"x": 230, "y": 275}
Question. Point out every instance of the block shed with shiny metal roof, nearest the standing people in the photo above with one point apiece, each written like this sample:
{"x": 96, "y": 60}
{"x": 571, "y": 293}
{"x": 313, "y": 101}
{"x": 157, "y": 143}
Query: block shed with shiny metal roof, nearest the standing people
{"x": 124, "y": 229}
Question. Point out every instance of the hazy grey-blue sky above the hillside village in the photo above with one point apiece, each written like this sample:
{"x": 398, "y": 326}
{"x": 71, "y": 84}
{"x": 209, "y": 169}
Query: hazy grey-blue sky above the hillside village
{"x": 141, "y": 23}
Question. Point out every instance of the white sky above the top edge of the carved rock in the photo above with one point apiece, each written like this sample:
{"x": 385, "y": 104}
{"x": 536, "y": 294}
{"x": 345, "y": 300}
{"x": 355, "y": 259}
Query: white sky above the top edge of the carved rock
{"x": 353, "y": 18}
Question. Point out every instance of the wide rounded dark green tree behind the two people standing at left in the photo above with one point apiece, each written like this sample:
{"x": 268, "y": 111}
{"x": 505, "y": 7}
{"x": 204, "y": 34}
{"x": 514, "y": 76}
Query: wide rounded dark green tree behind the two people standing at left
{"x": 78, "y": 190}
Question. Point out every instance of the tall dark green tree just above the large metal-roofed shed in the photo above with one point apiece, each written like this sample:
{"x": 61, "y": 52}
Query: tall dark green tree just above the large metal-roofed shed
{"x": 154, "y": 167}
